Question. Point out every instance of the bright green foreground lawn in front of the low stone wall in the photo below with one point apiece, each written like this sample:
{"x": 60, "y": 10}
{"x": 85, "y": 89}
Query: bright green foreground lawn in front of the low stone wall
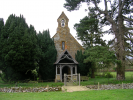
{"x": 125, "y": 94}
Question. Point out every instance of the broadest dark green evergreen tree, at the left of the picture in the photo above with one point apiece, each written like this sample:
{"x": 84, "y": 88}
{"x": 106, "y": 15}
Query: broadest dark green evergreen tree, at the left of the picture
{"x": 19, "y": 49}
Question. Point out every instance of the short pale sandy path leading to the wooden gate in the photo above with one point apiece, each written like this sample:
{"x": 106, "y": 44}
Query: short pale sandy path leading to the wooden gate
{"x": 74, "y": 88}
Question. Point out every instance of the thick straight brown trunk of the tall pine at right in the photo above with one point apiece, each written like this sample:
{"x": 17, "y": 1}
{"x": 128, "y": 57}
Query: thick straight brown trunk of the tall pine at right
{"x": 120, "y": 53}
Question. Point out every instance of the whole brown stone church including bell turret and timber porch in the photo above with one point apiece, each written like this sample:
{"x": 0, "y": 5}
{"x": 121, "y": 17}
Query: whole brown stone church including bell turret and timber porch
{"x": 66, "y": 46}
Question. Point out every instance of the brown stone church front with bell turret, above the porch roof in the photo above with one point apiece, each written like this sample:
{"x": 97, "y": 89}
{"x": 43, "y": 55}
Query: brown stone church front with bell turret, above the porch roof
{"x": 63, "y": 39}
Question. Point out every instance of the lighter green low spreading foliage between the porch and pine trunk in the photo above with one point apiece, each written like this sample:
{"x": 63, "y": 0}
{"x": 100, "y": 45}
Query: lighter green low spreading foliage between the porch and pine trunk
{"x": 100, "y": 55}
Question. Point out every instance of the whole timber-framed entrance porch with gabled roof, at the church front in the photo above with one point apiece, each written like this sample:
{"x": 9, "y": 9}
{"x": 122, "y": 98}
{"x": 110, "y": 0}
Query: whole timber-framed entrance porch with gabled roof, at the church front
{"x": 65, "y": 65}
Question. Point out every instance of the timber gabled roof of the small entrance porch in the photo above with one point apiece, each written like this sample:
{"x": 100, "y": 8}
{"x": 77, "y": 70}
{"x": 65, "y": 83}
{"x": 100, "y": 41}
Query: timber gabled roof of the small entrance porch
{"x": 66, "y": 56}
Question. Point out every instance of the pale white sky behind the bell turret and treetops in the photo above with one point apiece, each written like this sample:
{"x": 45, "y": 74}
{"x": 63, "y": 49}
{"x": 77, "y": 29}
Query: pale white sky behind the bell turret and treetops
{"x": 43, "y": 14}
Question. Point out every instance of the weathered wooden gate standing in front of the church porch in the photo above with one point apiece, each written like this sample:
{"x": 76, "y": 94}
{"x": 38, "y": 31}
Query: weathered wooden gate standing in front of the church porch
{"x": 71, "y": 80}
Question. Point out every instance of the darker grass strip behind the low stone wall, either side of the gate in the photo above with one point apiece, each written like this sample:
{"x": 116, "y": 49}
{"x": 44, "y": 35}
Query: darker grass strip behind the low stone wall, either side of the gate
{"x": 91, "y": 81}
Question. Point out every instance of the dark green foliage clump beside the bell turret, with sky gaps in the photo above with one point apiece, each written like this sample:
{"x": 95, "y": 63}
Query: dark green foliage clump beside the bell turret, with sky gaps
{"x": 89, "y": 32}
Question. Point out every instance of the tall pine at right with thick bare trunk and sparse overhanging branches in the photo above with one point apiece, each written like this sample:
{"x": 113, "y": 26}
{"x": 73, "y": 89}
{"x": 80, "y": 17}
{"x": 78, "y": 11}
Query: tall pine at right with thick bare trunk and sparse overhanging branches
{"x": 115, "y": 14}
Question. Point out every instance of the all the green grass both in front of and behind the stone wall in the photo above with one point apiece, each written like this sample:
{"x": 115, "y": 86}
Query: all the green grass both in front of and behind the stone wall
{"x": 90, "y": 94}
